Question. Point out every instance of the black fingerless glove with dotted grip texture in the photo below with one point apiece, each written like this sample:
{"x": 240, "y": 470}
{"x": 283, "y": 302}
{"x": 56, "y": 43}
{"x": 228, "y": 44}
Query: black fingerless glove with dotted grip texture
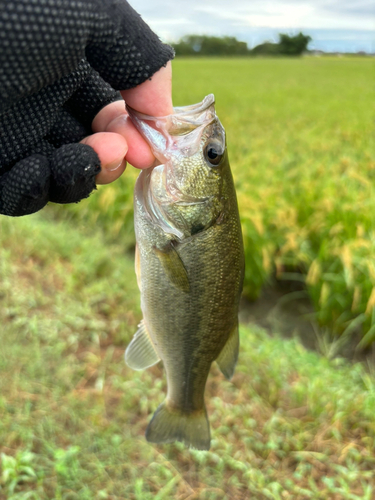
{"x": 60, "y": 61}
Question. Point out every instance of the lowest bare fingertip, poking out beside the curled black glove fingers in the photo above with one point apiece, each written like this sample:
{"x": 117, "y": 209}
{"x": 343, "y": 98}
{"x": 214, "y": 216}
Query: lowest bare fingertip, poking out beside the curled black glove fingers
{"x": 111, "y": 149}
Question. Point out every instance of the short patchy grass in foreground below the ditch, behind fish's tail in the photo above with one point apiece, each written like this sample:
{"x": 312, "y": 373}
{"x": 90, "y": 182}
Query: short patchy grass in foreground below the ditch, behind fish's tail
{"x": 291, "y": 424}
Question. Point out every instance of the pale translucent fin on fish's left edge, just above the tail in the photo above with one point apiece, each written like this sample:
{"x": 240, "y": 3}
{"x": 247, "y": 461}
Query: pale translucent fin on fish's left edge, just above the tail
{"x": 140, "y": 353}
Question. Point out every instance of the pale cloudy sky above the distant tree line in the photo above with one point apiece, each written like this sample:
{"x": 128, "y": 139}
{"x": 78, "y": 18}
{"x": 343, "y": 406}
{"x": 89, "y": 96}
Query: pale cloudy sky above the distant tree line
{"x": 334, "y": 25}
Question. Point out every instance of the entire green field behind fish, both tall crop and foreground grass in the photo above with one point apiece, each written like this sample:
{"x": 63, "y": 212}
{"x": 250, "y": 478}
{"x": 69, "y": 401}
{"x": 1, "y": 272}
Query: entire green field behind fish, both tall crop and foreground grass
{"x": 293, "y": 424}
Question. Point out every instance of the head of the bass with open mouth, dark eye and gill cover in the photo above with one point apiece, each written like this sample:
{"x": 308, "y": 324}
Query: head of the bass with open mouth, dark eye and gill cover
{"x": 184, "y": 194}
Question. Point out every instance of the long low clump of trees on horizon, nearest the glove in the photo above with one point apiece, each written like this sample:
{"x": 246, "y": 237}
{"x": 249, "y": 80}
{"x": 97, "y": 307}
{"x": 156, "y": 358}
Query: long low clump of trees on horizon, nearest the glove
{"x": 210, "y": 46}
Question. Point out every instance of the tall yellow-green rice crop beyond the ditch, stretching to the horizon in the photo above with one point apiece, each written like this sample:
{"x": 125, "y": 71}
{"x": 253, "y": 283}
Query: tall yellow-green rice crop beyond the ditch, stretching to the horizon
{"x": 300, "y": 139}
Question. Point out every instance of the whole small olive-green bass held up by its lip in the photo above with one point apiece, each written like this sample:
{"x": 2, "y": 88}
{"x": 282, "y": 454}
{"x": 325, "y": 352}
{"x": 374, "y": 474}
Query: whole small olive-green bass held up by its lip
{"x": 189, "y": 264}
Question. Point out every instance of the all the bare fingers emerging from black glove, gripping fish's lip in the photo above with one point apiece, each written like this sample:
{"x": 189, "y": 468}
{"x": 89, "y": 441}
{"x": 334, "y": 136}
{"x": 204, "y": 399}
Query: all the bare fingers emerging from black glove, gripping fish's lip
{"x": 116, "y": 140}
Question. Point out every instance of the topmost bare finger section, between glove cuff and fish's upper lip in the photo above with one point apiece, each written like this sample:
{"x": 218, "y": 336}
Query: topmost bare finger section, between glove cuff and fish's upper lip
{"x": 154, "y": 96}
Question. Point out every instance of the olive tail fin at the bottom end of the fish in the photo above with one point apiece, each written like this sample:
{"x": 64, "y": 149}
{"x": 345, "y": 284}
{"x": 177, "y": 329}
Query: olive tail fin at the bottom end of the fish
{"x": 168, "y": 425}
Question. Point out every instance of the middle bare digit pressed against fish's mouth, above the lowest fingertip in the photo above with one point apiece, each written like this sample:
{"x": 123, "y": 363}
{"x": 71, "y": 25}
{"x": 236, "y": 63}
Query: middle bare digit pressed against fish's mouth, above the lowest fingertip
{"x": 113, "y": 118}
